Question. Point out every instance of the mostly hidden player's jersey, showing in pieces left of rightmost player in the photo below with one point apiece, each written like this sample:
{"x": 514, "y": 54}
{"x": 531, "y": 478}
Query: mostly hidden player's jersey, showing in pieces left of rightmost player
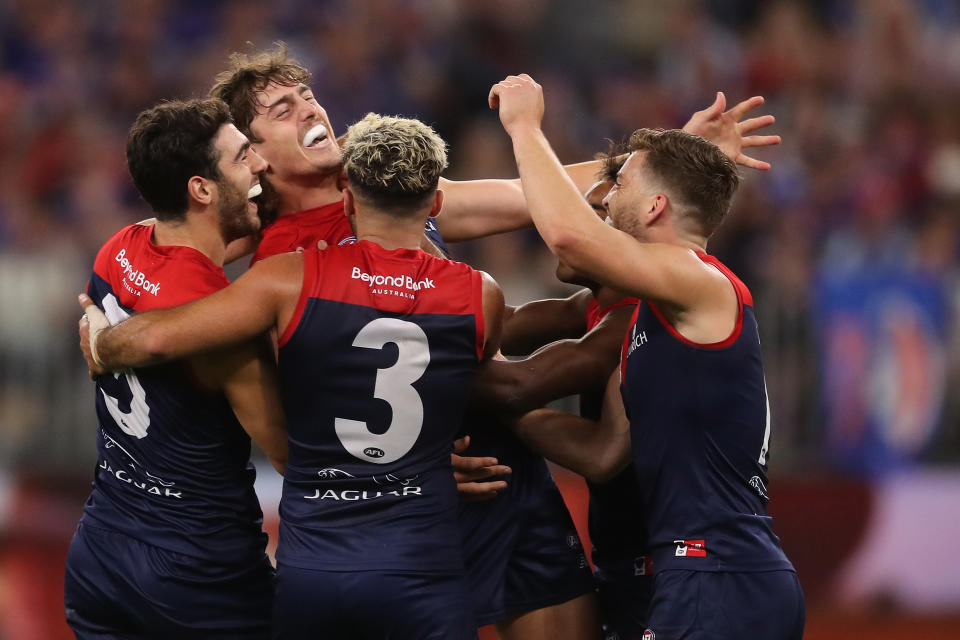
{"x": 615, "y": 518}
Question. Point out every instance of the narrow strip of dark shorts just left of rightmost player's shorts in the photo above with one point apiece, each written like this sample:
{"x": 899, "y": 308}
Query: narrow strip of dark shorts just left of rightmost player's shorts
{"x": 624, "y": 593}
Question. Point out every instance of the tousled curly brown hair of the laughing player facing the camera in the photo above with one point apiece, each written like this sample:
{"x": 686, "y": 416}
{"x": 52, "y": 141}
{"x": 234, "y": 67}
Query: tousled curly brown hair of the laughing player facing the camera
{"x": 248, "y": 75}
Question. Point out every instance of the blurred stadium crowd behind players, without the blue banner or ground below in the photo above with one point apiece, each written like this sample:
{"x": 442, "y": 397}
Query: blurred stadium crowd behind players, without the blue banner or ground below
{"x": 868, "y": 175}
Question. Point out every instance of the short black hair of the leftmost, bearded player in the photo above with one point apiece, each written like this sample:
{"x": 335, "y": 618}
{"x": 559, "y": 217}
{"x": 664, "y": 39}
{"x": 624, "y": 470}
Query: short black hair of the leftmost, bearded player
{"x": 168, "y": 144}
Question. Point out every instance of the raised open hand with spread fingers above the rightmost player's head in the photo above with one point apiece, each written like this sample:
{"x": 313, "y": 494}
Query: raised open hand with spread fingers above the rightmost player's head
{"x": 725, "y": 129}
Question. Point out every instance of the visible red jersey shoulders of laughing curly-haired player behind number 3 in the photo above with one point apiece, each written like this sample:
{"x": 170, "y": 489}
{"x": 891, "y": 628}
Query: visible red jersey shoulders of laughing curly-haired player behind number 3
{"x": 304, "y": 229}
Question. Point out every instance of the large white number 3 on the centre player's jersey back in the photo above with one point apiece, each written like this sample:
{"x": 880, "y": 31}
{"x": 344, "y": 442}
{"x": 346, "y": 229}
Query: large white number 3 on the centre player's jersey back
{"x": 393, "y": 385}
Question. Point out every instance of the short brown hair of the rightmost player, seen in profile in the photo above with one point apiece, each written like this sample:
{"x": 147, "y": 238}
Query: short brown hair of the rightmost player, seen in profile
{"x": 700, "y": 177}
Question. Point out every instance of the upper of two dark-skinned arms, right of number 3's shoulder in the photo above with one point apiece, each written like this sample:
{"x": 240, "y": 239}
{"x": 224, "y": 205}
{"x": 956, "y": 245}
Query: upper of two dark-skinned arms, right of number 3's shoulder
{"x": 534, "y": 324}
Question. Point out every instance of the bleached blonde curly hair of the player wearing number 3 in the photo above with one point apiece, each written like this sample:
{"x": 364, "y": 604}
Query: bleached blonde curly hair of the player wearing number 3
{"x": 395, "y": 163}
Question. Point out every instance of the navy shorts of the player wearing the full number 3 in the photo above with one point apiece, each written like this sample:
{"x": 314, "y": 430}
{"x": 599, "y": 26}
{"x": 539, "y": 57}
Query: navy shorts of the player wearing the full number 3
{"x": 371, "y": 605}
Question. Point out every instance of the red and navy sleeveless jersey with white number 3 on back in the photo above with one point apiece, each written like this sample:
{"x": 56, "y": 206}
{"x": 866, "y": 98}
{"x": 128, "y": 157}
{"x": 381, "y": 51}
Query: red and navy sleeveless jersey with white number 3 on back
{"x": 375, "y": 368}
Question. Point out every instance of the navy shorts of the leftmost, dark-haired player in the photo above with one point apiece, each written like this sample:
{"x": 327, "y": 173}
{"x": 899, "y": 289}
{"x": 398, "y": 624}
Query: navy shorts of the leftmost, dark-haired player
{"x": 118, "y": 587}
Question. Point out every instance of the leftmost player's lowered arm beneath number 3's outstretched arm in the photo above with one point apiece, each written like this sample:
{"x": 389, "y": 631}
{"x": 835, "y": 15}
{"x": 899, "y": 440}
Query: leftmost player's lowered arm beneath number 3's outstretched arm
{"x": 248, "y": 376}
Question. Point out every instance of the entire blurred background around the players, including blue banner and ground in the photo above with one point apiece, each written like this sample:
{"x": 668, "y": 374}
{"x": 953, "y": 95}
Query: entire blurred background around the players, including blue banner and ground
{"x": 850, "y": 243}
